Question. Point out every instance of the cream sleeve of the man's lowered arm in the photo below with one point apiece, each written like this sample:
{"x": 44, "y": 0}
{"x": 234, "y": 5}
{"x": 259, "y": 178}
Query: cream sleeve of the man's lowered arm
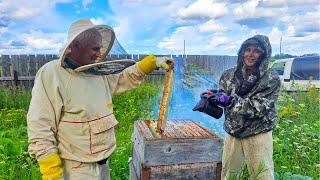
{"x": 43, "y": 115}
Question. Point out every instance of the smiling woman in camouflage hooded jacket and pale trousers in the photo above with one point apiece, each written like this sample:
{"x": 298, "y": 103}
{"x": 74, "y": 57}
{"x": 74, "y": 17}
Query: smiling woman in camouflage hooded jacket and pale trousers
{"x": 249, "y": 93}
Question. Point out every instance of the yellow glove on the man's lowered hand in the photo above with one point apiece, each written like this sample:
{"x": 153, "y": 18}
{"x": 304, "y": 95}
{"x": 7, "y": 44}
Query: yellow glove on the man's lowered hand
{"x": 50, "y": 167}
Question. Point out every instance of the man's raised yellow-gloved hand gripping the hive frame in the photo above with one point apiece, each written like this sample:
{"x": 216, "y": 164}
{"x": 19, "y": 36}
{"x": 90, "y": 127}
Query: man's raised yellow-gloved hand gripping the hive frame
{"x": 150, "y": 63}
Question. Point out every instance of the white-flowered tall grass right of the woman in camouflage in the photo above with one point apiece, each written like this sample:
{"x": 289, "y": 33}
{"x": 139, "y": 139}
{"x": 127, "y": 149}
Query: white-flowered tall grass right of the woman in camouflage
{"x": 296, "y": 138}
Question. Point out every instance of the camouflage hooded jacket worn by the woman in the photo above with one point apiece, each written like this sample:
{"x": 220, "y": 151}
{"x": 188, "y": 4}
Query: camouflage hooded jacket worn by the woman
{"x": 252, "y": 110}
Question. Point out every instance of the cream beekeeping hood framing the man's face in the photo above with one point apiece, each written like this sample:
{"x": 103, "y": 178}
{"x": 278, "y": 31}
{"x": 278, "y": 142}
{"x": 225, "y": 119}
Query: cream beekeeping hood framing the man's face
{"x": 80, "y": 26}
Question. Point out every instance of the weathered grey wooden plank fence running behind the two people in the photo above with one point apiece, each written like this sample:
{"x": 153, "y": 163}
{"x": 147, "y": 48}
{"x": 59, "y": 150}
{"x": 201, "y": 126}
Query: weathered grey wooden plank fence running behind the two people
{"x": 20, "y": 70}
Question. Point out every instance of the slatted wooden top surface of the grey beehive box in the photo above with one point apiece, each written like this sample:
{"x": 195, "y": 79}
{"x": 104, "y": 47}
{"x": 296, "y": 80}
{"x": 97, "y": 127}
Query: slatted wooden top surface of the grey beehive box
{"x": 176, "y": 129}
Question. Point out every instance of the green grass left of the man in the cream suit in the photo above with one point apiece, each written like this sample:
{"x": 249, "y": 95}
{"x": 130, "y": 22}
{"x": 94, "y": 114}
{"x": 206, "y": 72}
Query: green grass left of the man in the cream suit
{"x": 15, "y": 163}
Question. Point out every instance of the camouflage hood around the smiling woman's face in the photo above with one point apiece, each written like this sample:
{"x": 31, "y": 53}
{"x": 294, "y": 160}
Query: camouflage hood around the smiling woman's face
{"x": 263, "y": 45}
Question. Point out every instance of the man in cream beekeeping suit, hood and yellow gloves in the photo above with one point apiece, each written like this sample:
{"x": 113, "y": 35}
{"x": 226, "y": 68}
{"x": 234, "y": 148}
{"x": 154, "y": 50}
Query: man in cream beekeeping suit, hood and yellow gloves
{"x": 70, "y": 118}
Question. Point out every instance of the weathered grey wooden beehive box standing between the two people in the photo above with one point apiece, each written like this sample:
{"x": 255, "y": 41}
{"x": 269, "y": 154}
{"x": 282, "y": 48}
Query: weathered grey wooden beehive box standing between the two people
{"x": 186, "y": 150}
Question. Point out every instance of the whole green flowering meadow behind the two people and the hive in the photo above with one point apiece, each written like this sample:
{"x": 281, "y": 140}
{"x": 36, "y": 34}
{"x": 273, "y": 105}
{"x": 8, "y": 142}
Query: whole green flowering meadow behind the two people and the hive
{"x": 296, "y": 138}
